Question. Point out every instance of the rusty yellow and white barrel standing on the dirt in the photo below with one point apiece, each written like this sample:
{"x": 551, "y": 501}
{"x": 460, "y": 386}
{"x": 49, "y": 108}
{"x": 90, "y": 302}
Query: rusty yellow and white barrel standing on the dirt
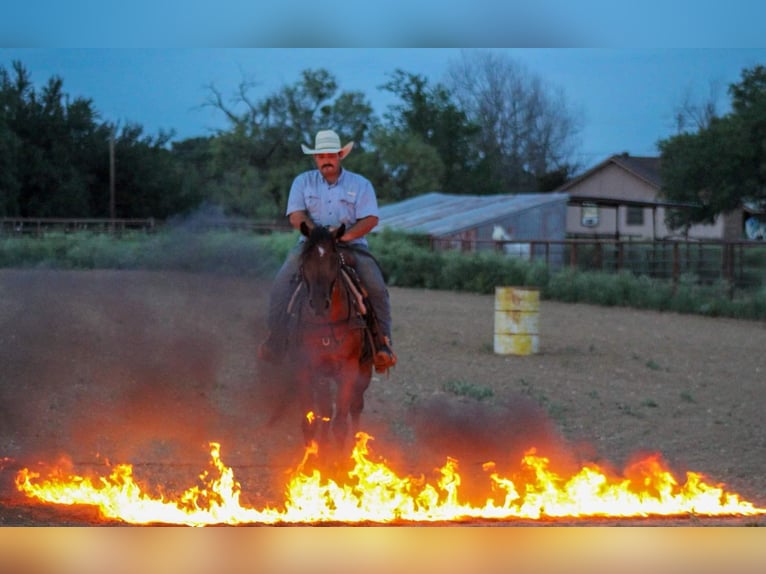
{"x": 517, "y": 312}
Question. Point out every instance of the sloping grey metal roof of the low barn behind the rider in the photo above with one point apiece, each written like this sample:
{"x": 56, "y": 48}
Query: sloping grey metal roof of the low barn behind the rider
{"x": 438, "y": 214}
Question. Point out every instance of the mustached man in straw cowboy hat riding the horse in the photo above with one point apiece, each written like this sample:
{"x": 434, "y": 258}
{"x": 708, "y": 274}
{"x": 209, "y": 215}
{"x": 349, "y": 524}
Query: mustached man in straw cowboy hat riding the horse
{"x": 330, "y": 196}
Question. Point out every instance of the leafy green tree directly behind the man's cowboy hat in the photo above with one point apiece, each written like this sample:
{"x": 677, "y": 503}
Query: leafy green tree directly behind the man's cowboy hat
{"x": 258, "y": 156}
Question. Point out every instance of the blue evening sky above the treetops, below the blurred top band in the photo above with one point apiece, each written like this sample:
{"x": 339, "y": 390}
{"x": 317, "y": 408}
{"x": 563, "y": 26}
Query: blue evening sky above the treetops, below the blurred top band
{"x": 625, "y": 98}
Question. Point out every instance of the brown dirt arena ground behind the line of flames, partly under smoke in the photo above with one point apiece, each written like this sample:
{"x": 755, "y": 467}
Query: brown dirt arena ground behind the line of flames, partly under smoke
{"x": 148, "y": 367}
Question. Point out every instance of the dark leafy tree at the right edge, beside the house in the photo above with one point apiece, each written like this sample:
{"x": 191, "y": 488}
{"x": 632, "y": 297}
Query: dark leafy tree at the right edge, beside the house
{"x": 723, "y": 164}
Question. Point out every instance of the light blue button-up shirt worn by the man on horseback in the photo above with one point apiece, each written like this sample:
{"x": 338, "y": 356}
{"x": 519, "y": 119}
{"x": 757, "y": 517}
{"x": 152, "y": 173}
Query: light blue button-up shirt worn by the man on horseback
{"x": 349, "y": 199}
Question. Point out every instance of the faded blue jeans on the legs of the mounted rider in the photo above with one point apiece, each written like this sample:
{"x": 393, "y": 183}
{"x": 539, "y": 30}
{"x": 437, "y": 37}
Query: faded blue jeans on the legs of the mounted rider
{"x": 366, "y": 267}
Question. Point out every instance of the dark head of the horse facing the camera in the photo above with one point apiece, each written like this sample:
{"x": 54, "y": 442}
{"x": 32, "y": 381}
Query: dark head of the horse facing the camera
{"x": 320, "y": 265}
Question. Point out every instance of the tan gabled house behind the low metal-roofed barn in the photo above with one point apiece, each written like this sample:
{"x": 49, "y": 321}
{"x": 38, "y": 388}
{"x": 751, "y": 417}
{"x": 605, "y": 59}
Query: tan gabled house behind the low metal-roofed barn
{"x": 619, "y": 198}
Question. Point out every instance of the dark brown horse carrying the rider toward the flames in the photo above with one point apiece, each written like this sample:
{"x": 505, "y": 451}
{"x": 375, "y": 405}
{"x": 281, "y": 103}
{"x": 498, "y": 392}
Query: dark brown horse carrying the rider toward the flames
{"x": 330, "y": 353}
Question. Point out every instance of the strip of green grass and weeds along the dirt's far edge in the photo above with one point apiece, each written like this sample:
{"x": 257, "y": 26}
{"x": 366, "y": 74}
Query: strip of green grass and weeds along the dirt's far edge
{"x": 406, "y": 262}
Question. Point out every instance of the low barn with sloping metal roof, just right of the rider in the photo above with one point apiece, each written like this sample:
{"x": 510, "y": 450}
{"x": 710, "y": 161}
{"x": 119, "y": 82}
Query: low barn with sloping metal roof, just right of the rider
{"x": 474, "y": 222}
